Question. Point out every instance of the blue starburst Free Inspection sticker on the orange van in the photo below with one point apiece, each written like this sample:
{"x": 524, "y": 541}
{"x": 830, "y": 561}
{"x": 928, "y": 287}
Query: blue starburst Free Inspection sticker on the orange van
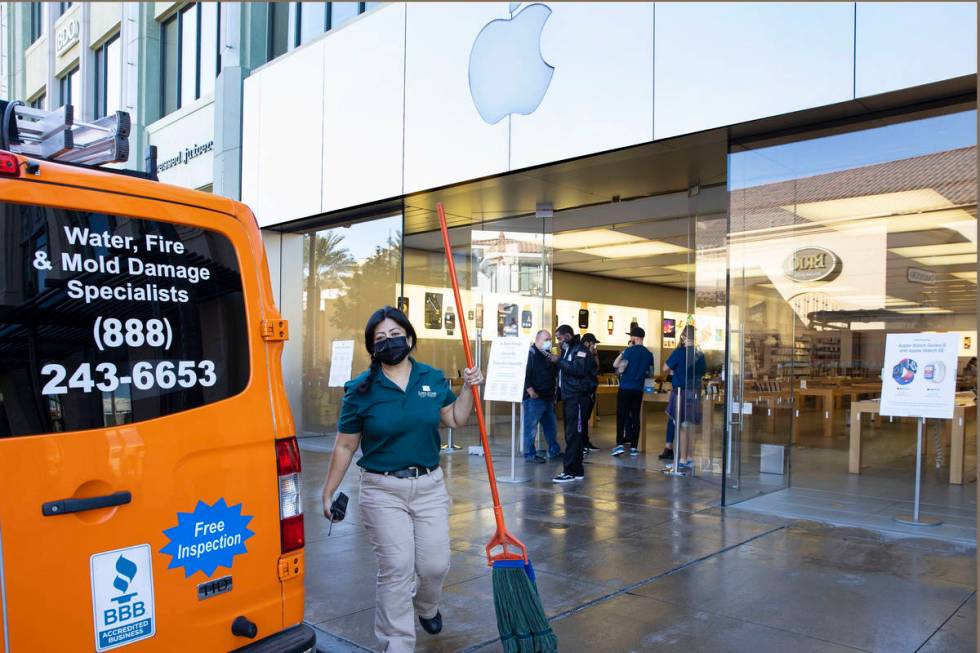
{"x": 208, "y": 538}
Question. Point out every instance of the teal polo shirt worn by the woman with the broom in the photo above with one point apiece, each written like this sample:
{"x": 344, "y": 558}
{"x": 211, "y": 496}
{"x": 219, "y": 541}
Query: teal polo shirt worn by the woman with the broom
{"x": 399, "y": 428}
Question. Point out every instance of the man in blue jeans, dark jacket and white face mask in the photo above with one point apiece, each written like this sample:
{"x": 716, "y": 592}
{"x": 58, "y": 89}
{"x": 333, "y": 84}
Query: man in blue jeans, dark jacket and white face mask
{"x": 539, "y": 398}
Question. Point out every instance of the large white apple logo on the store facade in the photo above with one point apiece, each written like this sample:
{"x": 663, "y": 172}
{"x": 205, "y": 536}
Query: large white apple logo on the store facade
{"x": 507, "y": 72}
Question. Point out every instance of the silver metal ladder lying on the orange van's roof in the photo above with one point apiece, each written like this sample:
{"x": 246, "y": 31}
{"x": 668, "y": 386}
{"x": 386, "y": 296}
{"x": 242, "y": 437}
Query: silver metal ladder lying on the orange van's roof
{"x": 56, "y": 136}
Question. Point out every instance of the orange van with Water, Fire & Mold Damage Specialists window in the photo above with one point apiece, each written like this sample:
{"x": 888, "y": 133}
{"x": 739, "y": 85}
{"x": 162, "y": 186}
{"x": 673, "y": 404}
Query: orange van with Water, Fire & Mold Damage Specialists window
{"x": 149, "y": 477}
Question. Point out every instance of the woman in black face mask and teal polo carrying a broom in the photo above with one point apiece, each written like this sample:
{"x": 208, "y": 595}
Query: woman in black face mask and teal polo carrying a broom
{"x": 393, "y": 412}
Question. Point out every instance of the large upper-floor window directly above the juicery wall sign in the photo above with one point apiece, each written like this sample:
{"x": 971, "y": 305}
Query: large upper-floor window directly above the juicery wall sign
{"x": 190, "y": 55}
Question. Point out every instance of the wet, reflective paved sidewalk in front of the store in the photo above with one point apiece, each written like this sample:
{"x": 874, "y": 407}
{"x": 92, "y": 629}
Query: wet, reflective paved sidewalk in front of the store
{"x": 631, "y": 560}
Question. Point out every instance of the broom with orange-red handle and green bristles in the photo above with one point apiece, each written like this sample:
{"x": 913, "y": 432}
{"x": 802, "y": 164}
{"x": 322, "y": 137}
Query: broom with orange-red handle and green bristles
{"x": 521, "y": 621}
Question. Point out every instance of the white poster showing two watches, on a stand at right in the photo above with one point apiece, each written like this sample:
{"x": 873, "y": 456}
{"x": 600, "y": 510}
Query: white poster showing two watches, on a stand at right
{"x": 919, "y": 377}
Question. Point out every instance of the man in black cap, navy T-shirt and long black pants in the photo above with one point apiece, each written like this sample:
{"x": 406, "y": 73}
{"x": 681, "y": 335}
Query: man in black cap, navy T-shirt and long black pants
{"x": 634, "y": 365}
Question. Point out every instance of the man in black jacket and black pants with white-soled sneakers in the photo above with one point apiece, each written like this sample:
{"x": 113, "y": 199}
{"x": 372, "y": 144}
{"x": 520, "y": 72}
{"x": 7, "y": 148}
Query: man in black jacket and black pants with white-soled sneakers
{"x": 576, "y": 371}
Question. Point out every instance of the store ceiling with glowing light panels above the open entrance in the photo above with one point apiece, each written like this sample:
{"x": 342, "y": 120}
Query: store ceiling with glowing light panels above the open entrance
{"x": 625, "y": 214}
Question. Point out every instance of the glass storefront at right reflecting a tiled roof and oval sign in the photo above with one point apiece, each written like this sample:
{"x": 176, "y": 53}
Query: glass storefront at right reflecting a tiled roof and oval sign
{"x": 836, "y": 239}
